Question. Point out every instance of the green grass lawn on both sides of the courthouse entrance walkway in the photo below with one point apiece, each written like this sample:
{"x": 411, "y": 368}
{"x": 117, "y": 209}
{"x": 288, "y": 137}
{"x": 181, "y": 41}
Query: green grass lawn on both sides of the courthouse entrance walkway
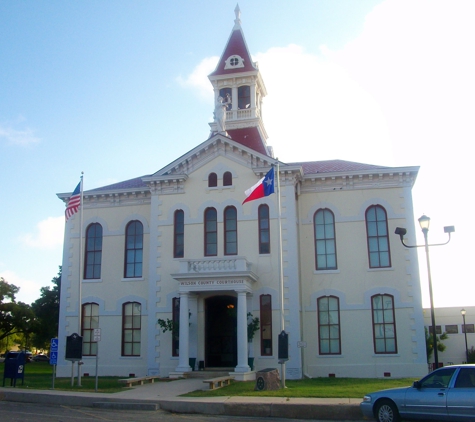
{"x": 39, "y": 375}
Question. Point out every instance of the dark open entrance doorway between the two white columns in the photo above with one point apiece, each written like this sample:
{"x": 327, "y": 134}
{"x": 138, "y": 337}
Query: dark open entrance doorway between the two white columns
{"x": 221, "y": 332}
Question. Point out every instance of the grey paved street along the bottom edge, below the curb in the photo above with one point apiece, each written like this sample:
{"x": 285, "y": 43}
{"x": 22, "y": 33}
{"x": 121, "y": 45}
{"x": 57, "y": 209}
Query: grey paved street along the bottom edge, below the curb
{"x": 21, "y": 412}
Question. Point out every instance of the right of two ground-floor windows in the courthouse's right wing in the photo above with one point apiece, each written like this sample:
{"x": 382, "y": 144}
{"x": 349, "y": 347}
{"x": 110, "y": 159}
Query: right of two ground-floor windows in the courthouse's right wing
{"x": 384, "y": 324}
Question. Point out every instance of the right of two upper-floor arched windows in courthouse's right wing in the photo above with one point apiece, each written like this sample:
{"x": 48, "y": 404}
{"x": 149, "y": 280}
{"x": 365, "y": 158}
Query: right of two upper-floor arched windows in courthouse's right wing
{"x": 378, "y": 240}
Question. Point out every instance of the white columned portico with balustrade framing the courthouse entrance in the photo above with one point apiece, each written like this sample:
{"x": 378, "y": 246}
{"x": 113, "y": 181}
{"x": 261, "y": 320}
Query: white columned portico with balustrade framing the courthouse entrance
{"x": 231, "y": 276}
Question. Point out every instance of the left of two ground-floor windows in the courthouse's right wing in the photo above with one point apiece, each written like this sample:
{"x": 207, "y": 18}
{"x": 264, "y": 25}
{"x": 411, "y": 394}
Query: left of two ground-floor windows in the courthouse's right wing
{"x": 329, "y": 325}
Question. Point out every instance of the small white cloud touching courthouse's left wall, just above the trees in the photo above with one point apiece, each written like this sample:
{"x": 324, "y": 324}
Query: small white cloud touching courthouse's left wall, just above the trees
{"x": 49, "y": 234}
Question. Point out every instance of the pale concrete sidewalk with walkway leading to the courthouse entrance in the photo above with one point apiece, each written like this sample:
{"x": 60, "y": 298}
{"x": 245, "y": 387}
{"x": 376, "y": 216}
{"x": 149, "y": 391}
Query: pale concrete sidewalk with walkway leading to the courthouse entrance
{"x": 166, "y": 396}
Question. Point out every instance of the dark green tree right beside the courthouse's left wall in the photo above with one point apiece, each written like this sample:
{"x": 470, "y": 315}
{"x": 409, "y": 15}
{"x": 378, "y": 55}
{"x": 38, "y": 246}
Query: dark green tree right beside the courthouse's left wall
{"x": 46, "y": 310}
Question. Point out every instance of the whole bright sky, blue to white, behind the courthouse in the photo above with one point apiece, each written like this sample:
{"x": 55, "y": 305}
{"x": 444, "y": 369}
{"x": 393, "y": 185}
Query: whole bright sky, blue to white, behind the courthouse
{"x": 118, "y": 89}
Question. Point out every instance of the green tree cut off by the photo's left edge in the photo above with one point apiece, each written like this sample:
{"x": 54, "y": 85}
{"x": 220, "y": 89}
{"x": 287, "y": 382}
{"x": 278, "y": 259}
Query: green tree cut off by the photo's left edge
{"x": 15, "y": 317}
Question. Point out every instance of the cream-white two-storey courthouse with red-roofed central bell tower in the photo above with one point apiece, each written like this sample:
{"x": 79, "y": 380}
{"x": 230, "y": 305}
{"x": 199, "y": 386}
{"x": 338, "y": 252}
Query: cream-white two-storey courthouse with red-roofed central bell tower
{"x": 179, "y": 244}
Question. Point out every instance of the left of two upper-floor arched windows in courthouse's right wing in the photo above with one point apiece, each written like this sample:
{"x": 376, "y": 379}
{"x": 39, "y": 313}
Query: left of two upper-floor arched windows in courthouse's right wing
{"x": 325, "y": 243}
